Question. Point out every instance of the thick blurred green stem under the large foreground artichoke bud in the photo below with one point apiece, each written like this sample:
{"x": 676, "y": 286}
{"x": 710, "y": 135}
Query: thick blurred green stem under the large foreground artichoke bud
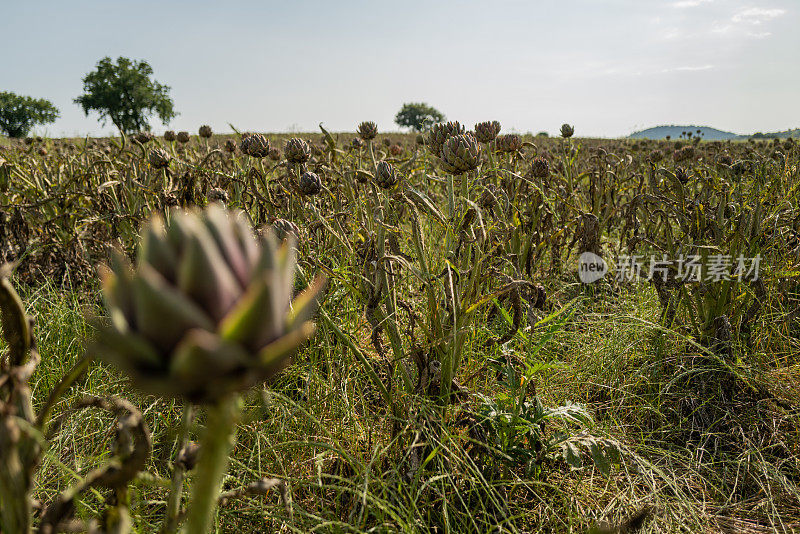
{"x": 215, "y": 448}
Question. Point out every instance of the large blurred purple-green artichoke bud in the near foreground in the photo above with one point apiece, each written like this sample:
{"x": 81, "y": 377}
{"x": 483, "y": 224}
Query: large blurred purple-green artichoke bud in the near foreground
{"x": 207, "y": 309}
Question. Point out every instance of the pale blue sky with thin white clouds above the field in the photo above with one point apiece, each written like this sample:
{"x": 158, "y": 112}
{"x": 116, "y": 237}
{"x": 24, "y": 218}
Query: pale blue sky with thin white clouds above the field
{"x": 610, "y": 67}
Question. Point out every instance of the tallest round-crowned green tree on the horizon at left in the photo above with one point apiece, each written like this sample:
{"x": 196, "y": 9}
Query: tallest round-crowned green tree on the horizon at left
{"x": 124, "y": 93}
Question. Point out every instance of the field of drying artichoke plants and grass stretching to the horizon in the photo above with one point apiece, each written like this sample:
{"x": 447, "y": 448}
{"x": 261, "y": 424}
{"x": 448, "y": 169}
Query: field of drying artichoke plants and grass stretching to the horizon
{"x": 461, "y": 377}
